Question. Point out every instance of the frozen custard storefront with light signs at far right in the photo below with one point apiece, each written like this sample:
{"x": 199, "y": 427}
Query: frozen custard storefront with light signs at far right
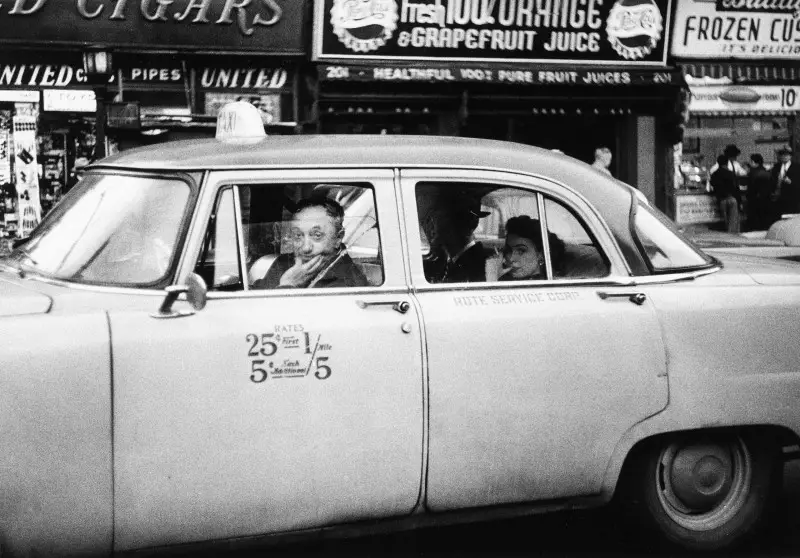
{"x": 744, "y": 84}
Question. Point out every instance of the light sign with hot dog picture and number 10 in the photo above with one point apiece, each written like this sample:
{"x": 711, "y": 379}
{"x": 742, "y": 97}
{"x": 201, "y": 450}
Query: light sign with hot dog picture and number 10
{"x": 727, "y": 98}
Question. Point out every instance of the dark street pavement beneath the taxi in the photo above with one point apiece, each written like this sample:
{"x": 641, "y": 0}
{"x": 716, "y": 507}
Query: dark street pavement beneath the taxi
{"x": 594, "y": 533}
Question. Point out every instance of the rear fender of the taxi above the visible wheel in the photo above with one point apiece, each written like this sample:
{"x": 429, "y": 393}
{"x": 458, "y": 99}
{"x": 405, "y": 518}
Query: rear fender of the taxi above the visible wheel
{"x": 720, "y": 373}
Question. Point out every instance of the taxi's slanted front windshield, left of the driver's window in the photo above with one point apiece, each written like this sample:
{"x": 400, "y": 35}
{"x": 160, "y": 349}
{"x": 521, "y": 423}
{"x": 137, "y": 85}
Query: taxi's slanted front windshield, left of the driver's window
{"x": 110, "y": 230}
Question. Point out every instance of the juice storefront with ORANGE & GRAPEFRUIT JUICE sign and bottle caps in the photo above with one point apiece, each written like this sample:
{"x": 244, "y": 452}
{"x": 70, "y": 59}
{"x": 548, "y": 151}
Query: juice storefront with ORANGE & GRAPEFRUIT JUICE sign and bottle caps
{"x": 575, "y": 78}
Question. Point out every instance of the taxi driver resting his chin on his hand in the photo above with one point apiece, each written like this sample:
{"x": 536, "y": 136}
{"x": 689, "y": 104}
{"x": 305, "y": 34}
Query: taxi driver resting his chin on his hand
{"x": 319, "y": 256}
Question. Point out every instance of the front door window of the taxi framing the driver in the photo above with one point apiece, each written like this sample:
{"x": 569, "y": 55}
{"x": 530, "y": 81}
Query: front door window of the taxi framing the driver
{"x": 305, "y": 235}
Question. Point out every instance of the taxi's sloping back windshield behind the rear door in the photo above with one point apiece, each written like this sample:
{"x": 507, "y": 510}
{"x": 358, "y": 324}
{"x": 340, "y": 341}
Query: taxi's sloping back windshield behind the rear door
{"x": 663, "y": 247}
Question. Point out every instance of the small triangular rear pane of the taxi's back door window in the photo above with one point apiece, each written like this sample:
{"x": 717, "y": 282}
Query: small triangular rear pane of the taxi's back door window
{"x": 574, "y": 251}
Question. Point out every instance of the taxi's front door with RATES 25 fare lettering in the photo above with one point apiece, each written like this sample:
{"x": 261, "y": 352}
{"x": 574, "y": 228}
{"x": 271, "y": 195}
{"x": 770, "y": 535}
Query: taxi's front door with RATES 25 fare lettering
{"x": 276, "y": 409}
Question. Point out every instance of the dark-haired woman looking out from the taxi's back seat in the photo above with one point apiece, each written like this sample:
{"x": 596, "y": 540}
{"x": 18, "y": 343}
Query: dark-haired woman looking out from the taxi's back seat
{"x": 523, "y": 254}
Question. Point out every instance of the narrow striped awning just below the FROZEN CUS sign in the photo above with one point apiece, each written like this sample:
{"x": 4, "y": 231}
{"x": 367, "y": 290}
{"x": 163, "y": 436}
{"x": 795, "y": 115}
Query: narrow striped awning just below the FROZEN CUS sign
{"x": 698, "y": 73}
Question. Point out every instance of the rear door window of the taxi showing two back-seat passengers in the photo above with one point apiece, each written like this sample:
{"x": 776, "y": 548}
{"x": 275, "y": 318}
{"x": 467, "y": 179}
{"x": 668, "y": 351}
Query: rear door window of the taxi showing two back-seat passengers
{"x": 472, "y": 232}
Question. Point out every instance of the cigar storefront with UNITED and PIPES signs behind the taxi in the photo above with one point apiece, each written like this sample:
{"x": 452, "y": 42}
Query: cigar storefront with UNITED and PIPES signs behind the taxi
{"x": 174, "y": 65}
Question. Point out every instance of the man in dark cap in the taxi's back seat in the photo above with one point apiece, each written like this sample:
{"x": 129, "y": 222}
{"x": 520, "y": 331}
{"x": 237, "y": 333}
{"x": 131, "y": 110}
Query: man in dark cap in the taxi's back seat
{"x": 456, "y": 257}
